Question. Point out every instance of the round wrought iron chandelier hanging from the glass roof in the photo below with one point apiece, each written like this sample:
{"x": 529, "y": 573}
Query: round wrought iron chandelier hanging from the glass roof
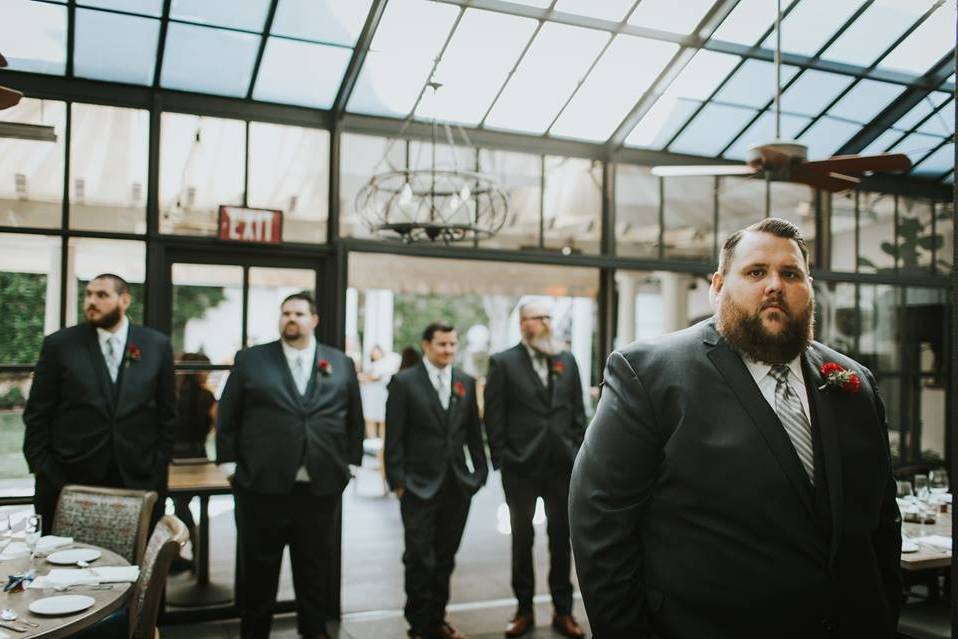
{"x": 441, "y": 202}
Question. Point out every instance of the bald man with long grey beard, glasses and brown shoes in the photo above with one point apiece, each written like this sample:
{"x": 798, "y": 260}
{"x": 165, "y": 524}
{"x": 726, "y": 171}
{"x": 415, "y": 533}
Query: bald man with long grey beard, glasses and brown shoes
{"x": 535, "y": 423}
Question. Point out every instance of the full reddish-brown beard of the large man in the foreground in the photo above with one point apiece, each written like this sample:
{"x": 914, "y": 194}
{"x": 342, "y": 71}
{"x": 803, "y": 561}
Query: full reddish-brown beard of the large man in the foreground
{"x": 745, "y": 332}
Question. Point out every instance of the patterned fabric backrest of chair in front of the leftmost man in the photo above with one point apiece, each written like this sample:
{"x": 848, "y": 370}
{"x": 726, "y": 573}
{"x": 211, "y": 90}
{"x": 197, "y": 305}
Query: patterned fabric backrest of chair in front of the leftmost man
{"x": 114, "y": 519}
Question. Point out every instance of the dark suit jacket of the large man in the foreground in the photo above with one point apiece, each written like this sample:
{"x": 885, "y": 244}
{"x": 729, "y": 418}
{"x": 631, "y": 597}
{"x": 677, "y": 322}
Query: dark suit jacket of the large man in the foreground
{"x": 691, "y": 515}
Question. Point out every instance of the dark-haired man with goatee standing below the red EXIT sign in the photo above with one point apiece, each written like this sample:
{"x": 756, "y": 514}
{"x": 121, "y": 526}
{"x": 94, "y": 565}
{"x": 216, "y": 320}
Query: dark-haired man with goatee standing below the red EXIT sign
{"x": 290, "y": 424}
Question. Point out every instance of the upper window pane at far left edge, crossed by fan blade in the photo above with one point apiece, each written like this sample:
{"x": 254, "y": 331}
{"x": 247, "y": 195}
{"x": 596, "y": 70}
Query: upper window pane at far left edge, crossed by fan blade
{"x": 31, "y": 171}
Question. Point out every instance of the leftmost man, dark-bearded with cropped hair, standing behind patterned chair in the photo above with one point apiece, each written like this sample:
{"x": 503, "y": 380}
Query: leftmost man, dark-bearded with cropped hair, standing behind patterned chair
{"x": 101, "y": 409}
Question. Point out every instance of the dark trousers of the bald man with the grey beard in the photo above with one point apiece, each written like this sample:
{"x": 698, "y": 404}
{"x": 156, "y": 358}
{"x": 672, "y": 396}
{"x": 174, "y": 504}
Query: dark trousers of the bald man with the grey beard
{"x": 521, "y": 495}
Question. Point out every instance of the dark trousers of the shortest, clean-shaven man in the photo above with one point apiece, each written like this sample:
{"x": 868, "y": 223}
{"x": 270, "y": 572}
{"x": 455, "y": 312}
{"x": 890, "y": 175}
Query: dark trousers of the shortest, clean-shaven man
{"x": 433, "y": 529}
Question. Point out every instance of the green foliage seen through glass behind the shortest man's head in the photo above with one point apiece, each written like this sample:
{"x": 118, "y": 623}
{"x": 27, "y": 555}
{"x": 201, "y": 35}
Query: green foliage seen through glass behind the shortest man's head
{"x": 412, "y": 313}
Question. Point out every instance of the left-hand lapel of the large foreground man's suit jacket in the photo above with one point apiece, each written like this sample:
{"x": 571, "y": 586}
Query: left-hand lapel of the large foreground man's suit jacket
{"x": 733, "y": 369}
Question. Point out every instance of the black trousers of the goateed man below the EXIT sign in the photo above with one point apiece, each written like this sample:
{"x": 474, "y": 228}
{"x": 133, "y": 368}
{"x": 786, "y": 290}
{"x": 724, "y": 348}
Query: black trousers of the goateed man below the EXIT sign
{"x": 265, "y": 525}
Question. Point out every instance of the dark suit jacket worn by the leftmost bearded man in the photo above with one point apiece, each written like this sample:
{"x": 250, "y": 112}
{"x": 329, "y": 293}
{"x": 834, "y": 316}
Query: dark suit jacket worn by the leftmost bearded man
{"x": 78, "y": 422}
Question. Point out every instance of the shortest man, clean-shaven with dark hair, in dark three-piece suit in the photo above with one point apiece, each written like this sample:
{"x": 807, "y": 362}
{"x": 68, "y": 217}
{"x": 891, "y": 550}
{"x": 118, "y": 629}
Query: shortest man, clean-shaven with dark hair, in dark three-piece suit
{"x": 435, "y": 462}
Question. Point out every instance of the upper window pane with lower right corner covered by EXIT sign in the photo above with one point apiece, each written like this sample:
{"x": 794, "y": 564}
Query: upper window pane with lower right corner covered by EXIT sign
{"x": 201, "y": 167}
